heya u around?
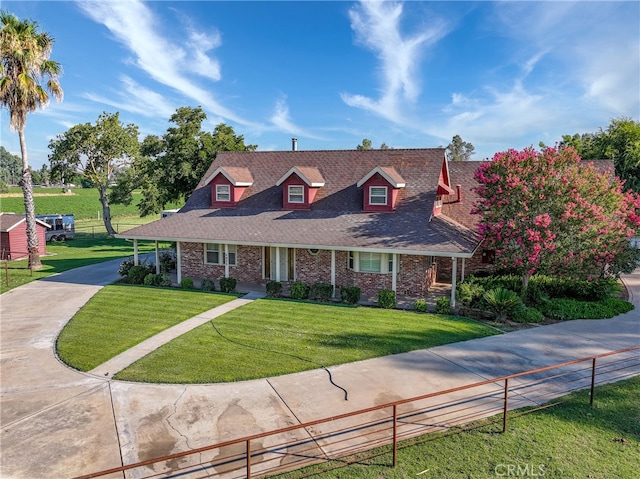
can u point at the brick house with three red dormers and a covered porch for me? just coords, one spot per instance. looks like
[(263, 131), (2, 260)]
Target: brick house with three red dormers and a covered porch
[(377, 219)]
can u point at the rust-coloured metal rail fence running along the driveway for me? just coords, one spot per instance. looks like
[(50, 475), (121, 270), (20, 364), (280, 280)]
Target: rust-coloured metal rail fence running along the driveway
[(338, 437)]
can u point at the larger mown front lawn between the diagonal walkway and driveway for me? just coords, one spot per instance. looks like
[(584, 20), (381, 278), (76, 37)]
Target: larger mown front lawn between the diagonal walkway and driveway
[(272, 337)]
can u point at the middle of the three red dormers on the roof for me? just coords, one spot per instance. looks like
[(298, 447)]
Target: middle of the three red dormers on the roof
[(299, 187)]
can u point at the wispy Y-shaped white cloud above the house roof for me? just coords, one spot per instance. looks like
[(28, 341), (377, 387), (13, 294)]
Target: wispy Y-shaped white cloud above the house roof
[(377, 27)]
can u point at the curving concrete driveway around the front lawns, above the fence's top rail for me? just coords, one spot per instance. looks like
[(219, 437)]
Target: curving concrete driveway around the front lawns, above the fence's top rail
[(57, 422)]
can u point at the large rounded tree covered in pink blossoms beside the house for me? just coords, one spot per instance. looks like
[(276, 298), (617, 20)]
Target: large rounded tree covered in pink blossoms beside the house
[(549, 212)]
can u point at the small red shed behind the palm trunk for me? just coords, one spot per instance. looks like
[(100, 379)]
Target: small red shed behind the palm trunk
[(13, 236)]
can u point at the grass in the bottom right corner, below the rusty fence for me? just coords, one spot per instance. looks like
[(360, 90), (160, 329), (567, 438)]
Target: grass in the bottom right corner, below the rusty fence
[(571, 440)]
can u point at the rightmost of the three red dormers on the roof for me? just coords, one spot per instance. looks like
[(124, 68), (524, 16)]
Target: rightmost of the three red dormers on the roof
[(380, 187)]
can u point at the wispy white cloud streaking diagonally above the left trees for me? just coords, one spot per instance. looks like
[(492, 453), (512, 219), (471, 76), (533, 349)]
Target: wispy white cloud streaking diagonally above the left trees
[(172, 65)]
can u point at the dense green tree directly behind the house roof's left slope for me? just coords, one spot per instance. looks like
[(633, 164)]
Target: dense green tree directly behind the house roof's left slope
[(170, 168)]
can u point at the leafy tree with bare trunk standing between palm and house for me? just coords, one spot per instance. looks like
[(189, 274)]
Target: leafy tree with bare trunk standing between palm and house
[(98, 152)]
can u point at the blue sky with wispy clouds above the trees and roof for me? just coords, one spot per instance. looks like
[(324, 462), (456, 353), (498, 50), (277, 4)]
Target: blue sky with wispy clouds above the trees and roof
[(409, 74)]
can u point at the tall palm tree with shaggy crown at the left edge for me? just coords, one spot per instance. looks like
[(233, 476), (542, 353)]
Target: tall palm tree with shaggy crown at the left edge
[(24, 68)]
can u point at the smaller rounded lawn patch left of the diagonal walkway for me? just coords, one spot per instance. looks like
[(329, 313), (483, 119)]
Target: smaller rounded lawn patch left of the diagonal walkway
[(118, 317)]
